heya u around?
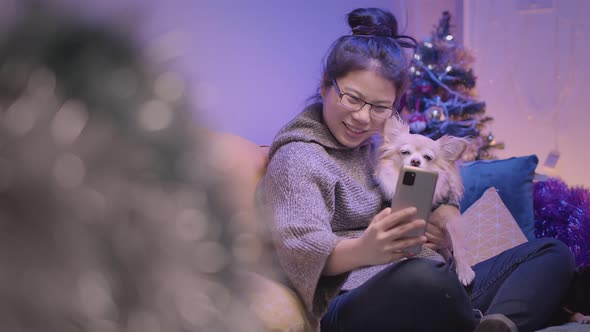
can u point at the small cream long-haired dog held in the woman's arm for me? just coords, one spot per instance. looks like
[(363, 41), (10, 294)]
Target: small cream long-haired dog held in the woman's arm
[(398, 148)]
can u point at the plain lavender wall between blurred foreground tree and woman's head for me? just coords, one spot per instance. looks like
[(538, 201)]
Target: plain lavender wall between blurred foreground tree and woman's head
[(250, 65)]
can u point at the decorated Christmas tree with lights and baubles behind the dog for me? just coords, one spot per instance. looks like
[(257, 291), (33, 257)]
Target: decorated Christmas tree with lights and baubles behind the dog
[(441, 99)]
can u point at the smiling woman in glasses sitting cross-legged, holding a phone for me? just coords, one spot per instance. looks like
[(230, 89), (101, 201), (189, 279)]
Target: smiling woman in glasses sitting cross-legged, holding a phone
[(343, 249)]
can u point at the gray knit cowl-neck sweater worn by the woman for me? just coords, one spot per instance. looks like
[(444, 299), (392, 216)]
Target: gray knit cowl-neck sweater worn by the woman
[(320, 192)]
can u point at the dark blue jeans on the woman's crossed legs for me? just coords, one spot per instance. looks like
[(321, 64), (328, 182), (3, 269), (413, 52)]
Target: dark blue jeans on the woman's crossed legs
[(525, 283)]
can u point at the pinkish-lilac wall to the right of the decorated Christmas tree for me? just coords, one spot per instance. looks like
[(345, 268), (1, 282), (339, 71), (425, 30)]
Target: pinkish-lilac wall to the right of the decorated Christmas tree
[(532, 67)]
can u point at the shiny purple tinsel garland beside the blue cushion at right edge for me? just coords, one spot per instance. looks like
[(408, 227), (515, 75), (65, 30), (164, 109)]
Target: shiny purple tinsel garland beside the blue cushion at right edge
[(564, 213)]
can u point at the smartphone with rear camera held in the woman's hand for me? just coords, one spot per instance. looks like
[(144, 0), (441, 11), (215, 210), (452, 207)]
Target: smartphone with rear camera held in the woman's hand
[(415, 187)]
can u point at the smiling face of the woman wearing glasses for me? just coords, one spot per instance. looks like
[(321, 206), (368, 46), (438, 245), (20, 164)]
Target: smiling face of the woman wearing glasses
[(351, 128)]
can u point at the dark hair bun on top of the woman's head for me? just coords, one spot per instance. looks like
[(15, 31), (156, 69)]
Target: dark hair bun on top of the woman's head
[(372, 22)]
